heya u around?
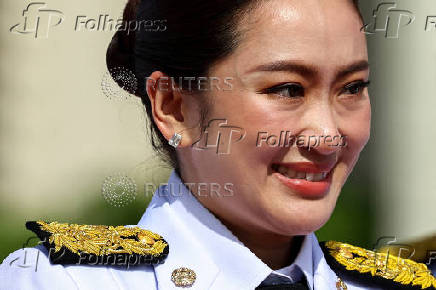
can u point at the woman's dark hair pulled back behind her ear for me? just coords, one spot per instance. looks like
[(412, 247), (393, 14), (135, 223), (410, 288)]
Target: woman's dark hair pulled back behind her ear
[(179, 38)]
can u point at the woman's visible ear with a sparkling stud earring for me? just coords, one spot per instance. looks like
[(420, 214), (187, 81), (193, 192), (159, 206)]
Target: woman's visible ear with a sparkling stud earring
[(170, 108)]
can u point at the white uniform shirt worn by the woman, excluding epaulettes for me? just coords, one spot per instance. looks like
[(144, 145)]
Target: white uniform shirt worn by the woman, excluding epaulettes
[(197, 240)]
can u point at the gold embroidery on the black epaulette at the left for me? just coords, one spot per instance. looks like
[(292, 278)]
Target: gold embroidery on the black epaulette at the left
[(103, 240)]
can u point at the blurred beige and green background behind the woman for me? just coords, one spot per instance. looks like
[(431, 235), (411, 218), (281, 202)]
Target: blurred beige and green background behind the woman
[(61, 136)]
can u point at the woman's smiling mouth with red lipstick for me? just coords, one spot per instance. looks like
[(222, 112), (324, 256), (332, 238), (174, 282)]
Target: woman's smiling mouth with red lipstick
[(307, 179)]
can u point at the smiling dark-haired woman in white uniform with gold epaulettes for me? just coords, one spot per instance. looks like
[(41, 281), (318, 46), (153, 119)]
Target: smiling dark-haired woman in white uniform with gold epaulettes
[(221, 81)]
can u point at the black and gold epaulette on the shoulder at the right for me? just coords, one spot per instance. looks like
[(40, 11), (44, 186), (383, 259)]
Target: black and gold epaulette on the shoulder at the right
[(389, 267)]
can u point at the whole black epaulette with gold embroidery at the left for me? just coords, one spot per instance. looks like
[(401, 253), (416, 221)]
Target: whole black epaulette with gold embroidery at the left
[(99, 245)]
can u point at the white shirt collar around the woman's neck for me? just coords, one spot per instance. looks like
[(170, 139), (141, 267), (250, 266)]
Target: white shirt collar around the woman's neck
[(186, 224)]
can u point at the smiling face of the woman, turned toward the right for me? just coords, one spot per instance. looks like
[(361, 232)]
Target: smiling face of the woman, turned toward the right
[(299, 72)]
